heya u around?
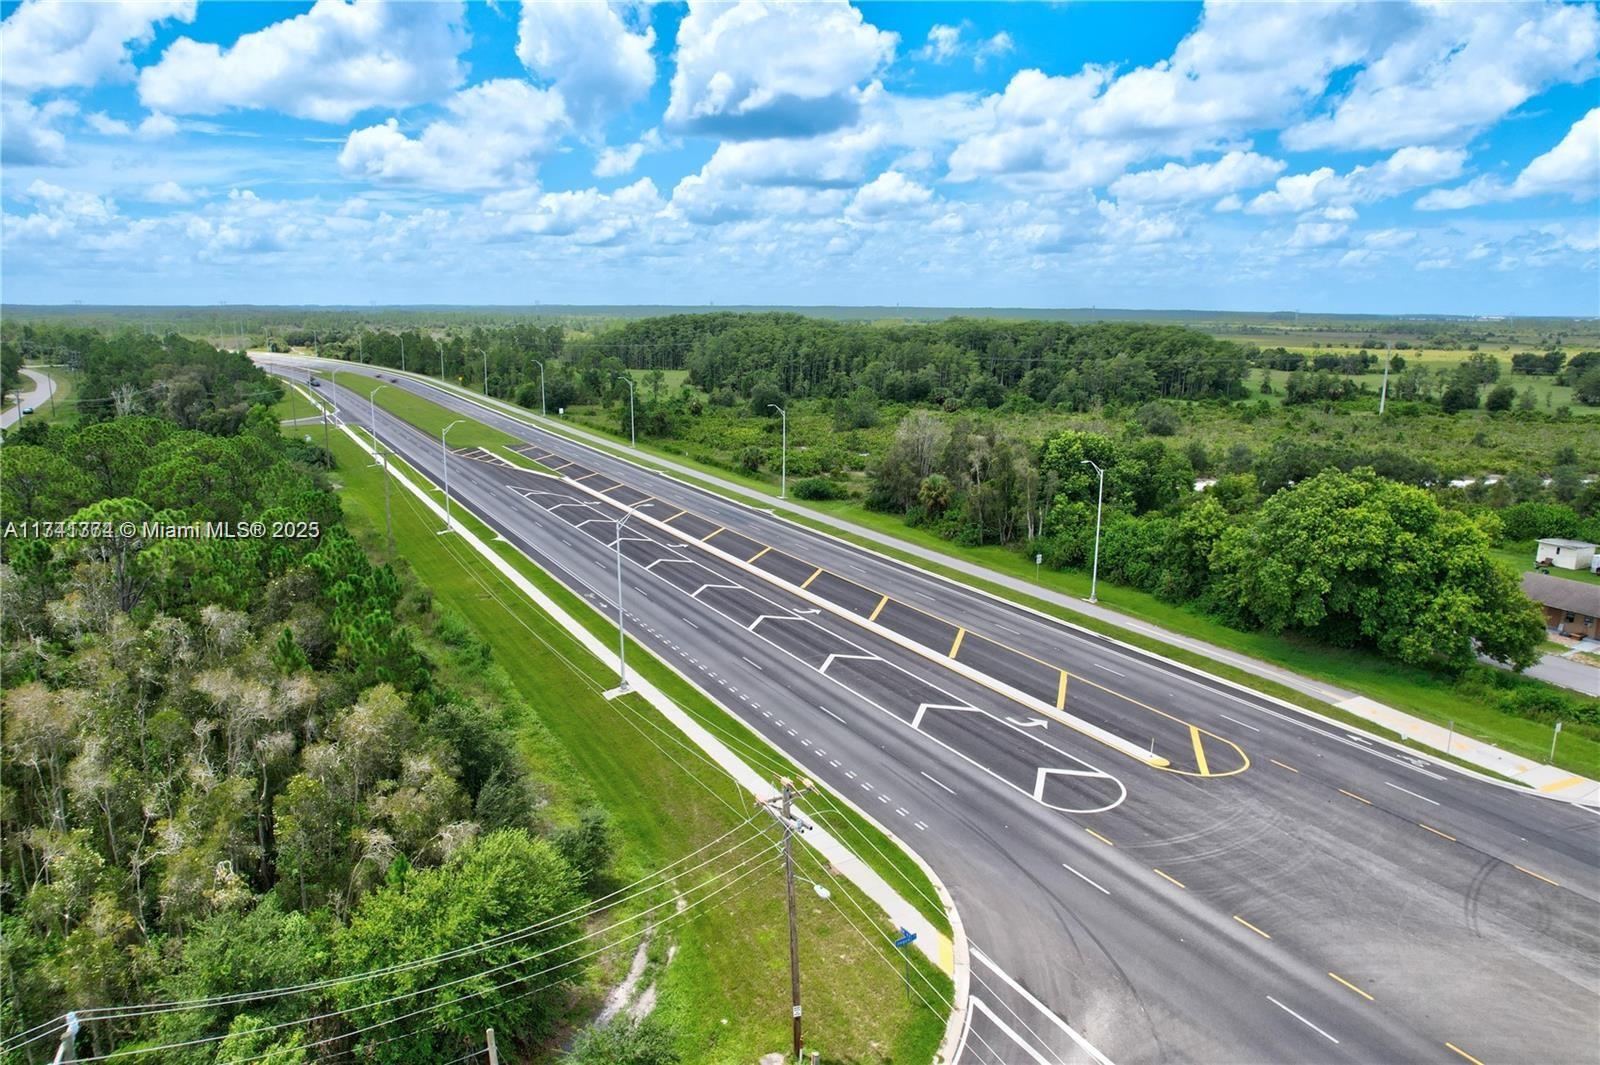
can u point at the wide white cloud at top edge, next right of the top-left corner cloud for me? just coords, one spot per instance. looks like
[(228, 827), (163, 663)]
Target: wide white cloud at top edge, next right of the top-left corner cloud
[(329, 65)]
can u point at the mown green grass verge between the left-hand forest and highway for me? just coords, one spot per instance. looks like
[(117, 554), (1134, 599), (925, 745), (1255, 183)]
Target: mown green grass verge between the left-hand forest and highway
[(727, 989)]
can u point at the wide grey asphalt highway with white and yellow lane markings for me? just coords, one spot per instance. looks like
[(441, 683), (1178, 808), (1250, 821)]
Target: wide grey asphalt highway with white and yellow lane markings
[(1146, 860)]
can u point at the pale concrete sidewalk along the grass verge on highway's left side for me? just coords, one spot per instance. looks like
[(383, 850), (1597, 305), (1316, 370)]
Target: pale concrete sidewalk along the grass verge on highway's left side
[(950, 954)]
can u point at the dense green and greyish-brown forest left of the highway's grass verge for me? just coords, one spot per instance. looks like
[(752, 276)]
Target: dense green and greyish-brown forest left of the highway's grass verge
[(228, 767)]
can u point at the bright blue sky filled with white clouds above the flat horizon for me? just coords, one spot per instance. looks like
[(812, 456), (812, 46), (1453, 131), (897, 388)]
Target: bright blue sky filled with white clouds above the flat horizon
[(1362, 158)]
